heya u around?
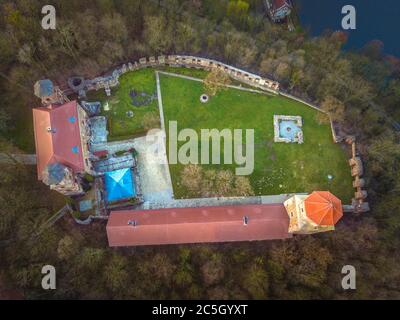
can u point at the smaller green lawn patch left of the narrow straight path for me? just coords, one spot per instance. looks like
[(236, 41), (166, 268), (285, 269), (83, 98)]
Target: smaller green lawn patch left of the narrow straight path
[(120, 125)]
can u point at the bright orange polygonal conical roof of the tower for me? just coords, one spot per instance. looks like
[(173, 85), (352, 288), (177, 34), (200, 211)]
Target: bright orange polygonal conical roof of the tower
[(323, 208)]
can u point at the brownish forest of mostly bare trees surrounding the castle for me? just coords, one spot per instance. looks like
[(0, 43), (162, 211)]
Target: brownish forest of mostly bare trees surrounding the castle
[(361, 89)]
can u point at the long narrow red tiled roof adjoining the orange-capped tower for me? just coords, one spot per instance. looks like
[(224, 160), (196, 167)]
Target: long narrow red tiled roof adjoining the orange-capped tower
[(196, 225)]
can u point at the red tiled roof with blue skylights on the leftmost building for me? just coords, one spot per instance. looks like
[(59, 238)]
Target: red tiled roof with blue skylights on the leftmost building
[(57, 136)]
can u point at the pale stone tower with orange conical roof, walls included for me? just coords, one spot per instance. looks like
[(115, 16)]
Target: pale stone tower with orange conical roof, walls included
[(316, 212)]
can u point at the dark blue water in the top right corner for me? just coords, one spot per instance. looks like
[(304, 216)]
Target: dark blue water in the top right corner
[(376, 19)]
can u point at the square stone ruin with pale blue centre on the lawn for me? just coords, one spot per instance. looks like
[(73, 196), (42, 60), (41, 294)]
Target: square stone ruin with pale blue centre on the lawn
[(288, 129)]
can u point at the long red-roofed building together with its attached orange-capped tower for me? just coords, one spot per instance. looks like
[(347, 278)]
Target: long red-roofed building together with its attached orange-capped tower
[(300, 214)]
